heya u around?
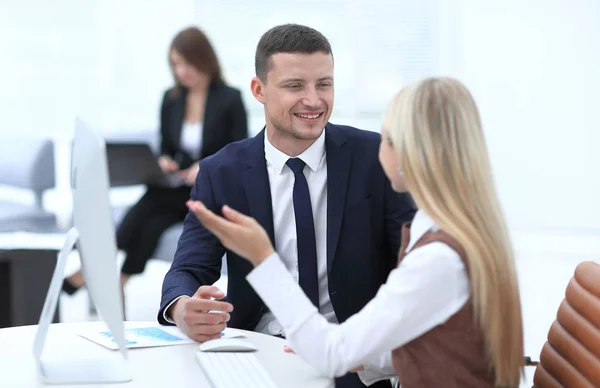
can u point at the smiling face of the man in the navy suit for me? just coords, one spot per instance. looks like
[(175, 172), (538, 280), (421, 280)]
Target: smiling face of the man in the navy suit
[(298, 94)]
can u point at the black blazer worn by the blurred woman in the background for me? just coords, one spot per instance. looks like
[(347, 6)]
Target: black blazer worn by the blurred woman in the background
[(224, 122)]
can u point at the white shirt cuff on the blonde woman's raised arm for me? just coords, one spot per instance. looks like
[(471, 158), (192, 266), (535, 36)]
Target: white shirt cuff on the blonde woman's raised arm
[(277, 288)]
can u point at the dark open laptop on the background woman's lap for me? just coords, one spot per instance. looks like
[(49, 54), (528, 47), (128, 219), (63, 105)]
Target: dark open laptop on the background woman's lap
[(135, 164)]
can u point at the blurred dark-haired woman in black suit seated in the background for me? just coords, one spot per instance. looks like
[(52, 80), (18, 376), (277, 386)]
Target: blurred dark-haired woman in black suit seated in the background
[(198, 116)]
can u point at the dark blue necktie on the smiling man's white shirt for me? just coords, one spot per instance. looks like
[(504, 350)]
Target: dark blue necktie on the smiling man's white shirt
[(305, 233)]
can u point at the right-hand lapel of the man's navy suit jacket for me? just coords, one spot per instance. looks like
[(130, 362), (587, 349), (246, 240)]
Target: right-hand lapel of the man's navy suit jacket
[(338, 172)]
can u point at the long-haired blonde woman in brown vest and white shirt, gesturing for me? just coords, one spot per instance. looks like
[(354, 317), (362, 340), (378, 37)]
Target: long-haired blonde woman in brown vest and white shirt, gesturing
[(449, 315)]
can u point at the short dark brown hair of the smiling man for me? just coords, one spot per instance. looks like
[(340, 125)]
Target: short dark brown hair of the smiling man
[(287, 38)]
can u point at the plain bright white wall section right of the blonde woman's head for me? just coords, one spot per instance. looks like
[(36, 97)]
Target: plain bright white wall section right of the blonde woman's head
[(534, 68)]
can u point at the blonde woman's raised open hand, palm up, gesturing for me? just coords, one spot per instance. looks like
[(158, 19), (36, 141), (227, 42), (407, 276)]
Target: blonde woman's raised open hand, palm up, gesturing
[(237, 232)]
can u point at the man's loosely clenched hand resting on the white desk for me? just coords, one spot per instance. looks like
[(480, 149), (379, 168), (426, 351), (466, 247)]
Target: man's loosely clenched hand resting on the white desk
[(200, 317)]
